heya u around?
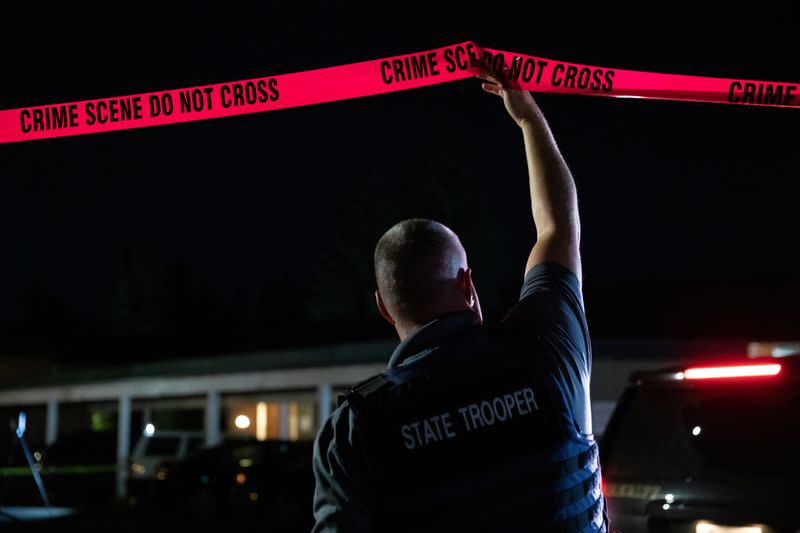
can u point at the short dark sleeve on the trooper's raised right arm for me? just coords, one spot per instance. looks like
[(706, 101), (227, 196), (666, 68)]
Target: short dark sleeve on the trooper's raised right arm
[(551, 315)]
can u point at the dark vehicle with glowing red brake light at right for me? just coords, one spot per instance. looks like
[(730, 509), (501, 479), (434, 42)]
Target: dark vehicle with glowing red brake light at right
[(706, 449)]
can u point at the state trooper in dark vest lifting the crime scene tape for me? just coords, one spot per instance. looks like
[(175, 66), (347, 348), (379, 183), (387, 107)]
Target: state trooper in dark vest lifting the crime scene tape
[(473, 428)]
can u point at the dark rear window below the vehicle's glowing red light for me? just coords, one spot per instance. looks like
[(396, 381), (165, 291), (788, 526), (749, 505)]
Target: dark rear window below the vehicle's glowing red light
[(714, 431)]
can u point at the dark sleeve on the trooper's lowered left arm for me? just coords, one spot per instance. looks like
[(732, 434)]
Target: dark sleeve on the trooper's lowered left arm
[(338, 495)]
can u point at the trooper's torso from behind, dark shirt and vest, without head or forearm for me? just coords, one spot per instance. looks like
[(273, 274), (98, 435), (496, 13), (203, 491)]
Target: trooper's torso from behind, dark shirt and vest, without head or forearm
[(471, 429)]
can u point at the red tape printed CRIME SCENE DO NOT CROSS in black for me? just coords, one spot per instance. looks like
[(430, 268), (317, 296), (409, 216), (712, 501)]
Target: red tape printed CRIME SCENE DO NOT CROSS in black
[(397, 73)]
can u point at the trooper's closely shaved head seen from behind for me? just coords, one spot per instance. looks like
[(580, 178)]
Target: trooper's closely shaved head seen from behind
[(421, 271)]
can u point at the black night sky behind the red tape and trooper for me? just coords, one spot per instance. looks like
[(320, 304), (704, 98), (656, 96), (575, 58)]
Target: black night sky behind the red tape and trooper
[(257, 231)]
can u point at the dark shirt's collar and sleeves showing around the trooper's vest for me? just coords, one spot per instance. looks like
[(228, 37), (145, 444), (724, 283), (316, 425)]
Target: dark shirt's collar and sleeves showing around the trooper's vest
[(551, 316)]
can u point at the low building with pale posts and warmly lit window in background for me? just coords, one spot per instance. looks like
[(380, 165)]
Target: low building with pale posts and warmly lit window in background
[(284, 394)]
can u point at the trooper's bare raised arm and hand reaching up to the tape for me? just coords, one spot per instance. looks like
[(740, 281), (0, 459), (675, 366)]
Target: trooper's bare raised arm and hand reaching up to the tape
[(554, 200)]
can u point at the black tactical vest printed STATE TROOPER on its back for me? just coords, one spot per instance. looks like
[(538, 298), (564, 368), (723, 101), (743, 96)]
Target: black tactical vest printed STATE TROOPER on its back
[(469, 438)]
